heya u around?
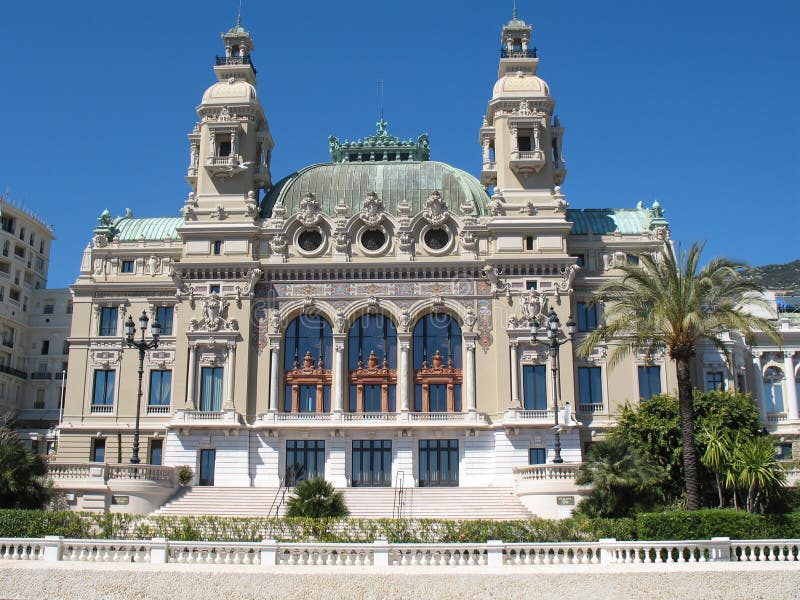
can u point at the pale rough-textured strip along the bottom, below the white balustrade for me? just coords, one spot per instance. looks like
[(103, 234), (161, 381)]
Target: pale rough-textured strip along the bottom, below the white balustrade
[(772, 581)]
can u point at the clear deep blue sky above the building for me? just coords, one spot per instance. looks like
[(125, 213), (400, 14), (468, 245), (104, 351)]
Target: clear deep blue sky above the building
[(692, 103)]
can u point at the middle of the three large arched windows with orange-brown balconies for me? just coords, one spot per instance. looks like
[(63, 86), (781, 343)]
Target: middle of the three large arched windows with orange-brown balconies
[(372, 348)]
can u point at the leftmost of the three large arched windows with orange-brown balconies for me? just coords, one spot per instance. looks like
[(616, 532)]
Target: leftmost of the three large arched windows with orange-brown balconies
[(308, 345)]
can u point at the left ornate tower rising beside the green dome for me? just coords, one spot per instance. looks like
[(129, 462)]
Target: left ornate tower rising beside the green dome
[(231, 145)]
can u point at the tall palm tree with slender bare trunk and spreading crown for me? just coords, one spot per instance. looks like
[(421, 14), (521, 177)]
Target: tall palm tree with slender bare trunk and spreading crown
[(667, 302)]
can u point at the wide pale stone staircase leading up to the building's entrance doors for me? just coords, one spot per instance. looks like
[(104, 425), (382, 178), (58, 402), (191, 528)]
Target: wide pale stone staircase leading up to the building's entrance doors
[(364, 503)]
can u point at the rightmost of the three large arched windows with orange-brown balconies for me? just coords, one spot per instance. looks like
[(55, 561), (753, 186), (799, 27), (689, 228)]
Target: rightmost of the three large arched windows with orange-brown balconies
[(437, 364)]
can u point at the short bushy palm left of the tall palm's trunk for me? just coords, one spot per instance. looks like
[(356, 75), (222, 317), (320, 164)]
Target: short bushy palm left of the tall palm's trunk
[(622, 478)]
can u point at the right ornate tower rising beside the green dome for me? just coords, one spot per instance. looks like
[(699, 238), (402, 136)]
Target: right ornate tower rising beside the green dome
[(520, 136)]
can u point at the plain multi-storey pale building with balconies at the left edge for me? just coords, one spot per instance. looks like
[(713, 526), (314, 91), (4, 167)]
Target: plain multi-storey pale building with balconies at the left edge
[(34, 325)]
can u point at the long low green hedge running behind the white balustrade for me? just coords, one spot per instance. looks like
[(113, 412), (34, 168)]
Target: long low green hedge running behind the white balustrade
[(675, 525)]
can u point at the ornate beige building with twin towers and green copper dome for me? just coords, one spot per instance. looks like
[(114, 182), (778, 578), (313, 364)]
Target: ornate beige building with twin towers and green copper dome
[(368, 318)]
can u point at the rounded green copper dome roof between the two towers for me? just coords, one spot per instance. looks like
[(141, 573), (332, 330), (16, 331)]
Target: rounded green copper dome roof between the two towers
[(393, 182)]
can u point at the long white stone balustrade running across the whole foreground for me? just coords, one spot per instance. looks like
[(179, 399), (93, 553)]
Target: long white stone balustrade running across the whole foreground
[(383, 554)]
